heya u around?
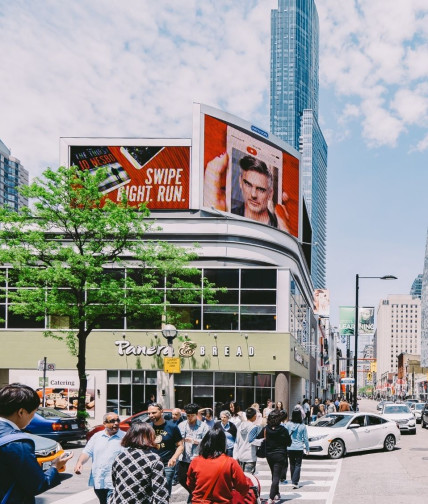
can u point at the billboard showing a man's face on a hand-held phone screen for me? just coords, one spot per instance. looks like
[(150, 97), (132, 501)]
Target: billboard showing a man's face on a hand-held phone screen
[(247, 172)]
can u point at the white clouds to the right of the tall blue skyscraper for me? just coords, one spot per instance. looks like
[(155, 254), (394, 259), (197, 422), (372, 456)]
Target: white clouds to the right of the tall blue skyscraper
[(374, 54)]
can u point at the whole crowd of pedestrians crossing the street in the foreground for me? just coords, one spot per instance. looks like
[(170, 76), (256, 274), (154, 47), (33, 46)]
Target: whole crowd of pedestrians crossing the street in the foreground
[(205, 453)]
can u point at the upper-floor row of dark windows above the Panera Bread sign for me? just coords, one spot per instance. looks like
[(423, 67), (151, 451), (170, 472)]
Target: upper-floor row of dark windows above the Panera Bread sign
[(245, 300)]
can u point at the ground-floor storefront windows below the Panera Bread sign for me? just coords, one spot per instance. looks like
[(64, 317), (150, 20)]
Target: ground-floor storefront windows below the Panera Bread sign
[(127, 391)]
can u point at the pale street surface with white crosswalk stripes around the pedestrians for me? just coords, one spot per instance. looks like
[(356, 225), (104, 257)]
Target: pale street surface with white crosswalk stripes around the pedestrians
[(397, 477)]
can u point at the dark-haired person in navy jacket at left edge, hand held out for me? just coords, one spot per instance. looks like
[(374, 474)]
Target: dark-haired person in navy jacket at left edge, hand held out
[(21, 477)]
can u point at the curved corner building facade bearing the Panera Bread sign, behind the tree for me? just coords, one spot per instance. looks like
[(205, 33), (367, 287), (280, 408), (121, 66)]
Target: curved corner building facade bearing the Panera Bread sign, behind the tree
[(258, 341)]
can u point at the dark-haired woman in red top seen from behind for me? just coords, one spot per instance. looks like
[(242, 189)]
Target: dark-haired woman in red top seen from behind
[(213, 475)]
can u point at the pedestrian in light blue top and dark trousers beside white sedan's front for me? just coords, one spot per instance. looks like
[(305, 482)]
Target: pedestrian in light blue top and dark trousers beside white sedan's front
[(299, 443)]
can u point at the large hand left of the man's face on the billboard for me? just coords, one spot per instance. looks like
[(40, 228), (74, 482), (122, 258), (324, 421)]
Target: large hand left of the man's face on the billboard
[(215, 182)]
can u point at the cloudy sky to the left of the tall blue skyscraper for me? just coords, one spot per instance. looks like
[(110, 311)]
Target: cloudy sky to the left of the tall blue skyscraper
[(110, 68)]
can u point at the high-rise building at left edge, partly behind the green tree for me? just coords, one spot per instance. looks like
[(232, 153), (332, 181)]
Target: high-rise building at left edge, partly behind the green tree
[(12, 175)]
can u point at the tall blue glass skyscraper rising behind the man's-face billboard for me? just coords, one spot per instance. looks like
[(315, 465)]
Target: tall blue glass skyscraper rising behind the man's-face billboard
[(294, 111)]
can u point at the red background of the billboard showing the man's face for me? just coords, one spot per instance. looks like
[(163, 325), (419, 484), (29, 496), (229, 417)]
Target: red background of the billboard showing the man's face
[(215, 146)]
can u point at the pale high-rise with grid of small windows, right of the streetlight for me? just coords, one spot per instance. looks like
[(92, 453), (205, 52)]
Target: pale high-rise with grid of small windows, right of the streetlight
[(398, 330)]
